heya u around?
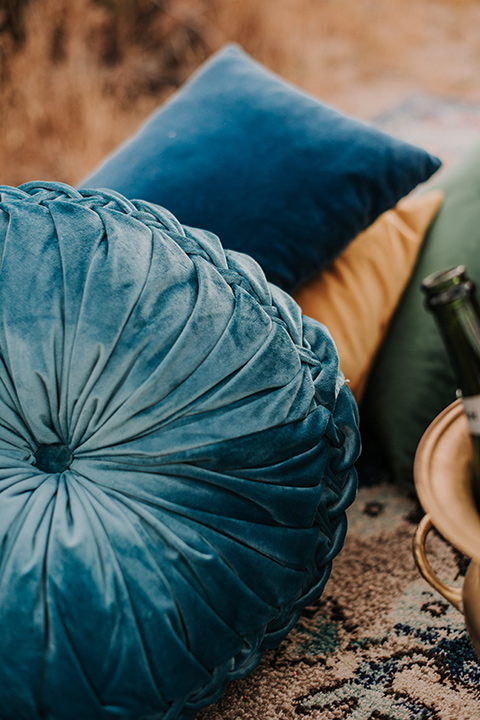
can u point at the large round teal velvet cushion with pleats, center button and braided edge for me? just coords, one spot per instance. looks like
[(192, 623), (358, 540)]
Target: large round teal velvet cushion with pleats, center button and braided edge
[(176, 458)]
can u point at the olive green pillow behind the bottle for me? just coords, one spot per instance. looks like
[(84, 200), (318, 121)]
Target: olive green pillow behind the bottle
[(411, 381)]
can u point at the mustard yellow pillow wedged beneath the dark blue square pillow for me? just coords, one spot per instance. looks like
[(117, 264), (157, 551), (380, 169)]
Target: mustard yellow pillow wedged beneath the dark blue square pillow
[(356, 296)]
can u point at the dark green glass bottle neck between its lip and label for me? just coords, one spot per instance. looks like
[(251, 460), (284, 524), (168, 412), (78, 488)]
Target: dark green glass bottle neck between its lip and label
[(459, 326)]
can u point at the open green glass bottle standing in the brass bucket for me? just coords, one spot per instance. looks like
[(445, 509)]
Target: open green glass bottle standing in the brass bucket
[(450, 296)]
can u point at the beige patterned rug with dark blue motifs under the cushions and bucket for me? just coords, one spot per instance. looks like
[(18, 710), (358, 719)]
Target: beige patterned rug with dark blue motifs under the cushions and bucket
[(380, 644)]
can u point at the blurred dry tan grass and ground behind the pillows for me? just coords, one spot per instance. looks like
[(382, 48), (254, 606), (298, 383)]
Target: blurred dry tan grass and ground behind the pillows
[(77, 76)]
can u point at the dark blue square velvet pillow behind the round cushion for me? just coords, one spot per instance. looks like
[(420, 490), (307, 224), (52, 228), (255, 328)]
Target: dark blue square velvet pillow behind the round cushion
[(269, 169)]
